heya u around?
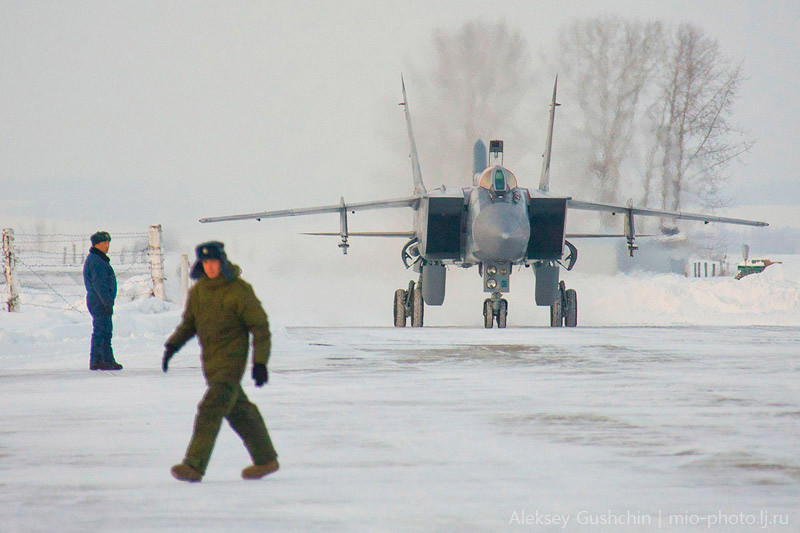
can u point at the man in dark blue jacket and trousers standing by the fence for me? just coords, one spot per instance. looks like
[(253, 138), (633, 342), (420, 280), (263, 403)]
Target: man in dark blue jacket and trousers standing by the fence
[(101, 291)]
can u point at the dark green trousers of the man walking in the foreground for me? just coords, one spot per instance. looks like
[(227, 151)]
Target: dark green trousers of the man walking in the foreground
[(228, 400)]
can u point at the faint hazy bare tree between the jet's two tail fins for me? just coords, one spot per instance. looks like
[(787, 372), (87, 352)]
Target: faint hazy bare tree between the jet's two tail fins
[(480, 80)]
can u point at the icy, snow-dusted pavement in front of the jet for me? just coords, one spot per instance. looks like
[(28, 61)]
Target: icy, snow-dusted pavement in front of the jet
[(440, 429)]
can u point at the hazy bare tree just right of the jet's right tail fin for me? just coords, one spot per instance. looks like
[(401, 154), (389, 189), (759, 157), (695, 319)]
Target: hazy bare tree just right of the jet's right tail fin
[(607, 63)]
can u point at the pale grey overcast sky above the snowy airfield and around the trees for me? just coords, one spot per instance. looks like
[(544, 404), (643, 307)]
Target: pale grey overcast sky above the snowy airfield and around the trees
[(122, 114)]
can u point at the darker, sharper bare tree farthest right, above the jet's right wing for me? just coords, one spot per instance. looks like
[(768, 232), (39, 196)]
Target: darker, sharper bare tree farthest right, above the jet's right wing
[(693, 135)]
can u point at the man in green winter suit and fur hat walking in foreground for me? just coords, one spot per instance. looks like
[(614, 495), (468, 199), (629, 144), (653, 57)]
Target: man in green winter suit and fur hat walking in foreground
[(222, 310)]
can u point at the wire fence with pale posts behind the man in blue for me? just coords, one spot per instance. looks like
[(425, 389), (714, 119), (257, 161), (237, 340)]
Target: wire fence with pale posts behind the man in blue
[(49, 269)]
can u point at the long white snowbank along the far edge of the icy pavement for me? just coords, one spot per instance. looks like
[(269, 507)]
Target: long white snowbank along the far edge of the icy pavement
[(771, 298)]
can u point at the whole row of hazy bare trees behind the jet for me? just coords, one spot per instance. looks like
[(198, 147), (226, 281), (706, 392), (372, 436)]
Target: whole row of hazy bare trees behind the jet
[(649, 105)]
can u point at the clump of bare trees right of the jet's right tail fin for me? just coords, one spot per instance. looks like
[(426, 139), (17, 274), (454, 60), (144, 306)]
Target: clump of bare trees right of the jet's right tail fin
[(656, 103)]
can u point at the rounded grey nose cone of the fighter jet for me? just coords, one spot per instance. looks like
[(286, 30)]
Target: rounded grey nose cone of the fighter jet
[(501, 233)]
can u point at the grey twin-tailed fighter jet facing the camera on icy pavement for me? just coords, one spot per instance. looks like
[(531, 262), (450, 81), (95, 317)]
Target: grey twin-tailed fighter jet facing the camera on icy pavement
[(495, 225)]
